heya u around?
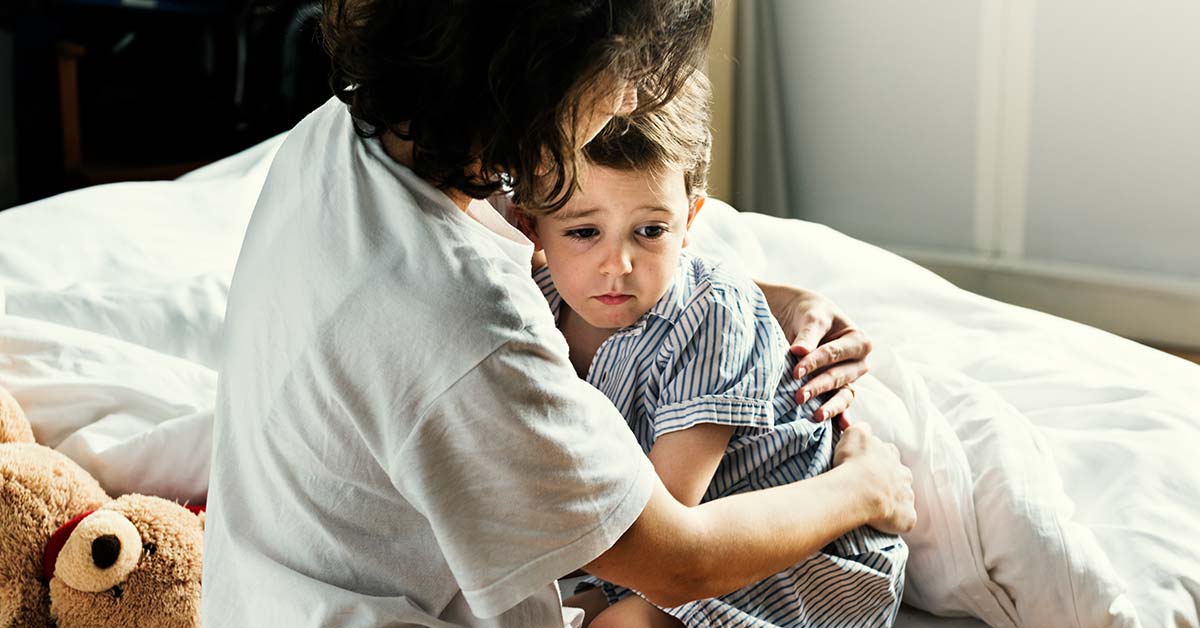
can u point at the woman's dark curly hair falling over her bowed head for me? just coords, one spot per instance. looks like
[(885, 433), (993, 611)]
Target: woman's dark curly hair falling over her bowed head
[(503, 85)]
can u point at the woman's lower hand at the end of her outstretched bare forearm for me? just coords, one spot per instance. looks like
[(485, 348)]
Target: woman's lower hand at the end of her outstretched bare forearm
[(887, 483)]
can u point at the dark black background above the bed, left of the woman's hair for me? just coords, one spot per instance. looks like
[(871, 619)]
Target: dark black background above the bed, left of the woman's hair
[(155, 87)]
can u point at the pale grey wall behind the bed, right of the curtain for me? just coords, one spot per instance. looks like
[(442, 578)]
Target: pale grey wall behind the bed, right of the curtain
[(1042, 153)]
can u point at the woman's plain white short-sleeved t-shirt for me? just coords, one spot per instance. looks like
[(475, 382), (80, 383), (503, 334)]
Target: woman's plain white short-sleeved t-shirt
[(400, 438)]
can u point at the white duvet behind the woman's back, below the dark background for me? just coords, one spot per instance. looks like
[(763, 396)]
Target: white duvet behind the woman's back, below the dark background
[(146, 262)]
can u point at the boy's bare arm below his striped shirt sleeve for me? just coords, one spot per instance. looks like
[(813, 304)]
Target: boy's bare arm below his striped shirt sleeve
[(686, 460)]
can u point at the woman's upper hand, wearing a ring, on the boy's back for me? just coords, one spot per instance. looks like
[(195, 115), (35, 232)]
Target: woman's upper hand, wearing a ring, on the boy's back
[(832, 350)]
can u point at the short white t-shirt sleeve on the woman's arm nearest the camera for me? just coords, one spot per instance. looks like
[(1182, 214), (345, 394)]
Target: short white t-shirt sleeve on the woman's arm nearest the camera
[(524, 471)]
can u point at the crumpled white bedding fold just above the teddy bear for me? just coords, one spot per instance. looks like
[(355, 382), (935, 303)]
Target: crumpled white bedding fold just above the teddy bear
[(139, 421)]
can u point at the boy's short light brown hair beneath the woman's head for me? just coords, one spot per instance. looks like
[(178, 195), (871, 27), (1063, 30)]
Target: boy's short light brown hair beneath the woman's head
[(676, 136)]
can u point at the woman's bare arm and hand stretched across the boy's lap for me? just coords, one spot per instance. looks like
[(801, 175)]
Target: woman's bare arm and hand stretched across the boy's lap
[(675, 554)]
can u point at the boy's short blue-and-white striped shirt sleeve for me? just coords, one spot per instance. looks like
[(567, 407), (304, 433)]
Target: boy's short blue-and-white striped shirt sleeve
[(724, 364)]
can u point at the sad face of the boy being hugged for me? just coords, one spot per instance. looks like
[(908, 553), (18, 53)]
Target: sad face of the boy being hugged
[(614, 249)]
